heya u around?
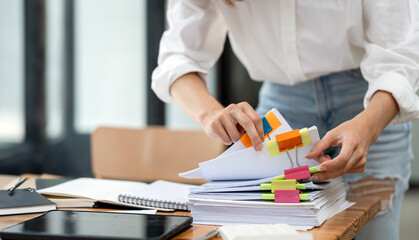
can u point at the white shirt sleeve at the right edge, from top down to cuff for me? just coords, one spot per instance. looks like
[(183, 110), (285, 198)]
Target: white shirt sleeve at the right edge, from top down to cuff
[(391, 62)]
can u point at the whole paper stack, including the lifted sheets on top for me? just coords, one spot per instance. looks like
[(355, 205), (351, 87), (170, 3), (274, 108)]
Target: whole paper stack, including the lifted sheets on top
[(230, 197)]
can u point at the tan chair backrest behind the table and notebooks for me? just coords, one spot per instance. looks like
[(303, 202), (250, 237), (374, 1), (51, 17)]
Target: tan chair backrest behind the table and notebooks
[(150, 154)]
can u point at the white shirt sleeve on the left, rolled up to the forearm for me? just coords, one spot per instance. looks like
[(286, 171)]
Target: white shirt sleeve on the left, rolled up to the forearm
[(193, 43)]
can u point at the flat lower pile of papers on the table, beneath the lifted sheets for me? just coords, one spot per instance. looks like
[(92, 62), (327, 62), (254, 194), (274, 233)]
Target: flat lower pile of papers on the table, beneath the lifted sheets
[(226, 207)]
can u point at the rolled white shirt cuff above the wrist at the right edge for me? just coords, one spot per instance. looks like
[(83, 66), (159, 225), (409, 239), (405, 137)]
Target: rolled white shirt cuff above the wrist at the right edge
[(402, 92)]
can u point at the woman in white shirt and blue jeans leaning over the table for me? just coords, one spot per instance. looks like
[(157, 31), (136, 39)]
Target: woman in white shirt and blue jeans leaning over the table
[(308, 54)]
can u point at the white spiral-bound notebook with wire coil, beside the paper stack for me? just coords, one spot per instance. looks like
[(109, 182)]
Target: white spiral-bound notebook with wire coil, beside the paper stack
[(159, 194)]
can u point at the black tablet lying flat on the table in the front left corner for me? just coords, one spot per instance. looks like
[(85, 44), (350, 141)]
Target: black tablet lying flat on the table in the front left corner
[(62, 224)]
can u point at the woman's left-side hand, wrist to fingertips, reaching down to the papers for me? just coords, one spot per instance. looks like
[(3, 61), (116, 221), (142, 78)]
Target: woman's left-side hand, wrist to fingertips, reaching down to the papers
[(229, 124)]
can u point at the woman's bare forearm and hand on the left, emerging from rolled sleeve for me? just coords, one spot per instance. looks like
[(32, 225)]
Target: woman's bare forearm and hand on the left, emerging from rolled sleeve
[(227, 124)]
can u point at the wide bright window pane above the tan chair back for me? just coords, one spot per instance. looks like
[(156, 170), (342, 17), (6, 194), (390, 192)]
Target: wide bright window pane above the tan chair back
[(110, 77)]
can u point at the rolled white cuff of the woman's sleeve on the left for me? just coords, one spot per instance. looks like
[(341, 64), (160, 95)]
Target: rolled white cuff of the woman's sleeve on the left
[(164, 76)]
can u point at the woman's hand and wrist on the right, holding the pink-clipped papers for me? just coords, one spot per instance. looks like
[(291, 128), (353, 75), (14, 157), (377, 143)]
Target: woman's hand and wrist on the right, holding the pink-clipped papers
[(355, 136)]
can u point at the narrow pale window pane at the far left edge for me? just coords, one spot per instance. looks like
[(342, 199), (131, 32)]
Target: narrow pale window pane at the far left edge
[(12, 119)]
